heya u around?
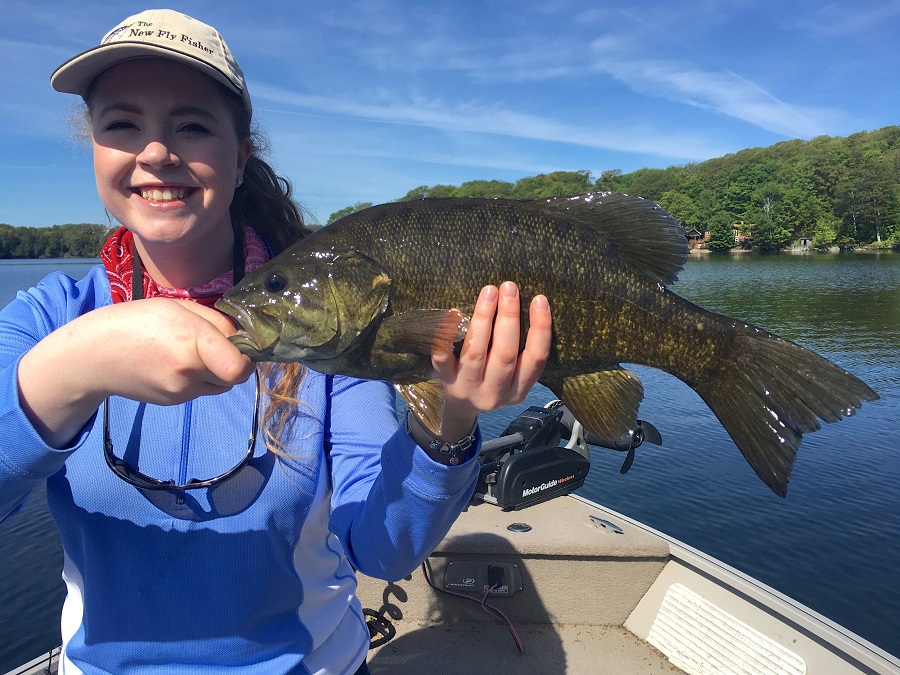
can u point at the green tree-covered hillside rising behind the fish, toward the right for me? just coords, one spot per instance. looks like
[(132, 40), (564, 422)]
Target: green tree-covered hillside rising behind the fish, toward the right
[(836, 191)]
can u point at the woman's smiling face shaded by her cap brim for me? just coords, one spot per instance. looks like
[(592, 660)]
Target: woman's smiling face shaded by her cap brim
[(166, 155)]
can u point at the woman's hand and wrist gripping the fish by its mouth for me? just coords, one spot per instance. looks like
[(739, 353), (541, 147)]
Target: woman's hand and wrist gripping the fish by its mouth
[(157, 350)]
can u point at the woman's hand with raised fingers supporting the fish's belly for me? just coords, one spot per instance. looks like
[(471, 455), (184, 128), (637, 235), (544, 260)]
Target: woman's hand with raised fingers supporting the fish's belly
[(491, 372)]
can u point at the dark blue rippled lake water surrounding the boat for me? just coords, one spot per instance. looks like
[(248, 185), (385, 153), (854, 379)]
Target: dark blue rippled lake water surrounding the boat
[(833, 544)]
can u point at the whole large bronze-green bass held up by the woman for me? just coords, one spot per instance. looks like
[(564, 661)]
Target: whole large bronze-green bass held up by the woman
[(370, 294)]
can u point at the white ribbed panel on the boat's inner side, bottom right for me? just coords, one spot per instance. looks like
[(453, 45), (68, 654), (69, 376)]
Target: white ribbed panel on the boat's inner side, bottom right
[(702, 639)]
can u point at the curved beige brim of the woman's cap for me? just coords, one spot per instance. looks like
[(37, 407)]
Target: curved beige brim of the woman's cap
[(76, 74)]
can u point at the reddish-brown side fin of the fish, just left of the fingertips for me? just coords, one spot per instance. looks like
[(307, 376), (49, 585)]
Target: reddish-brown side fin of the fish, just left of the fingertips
[(422, 331)]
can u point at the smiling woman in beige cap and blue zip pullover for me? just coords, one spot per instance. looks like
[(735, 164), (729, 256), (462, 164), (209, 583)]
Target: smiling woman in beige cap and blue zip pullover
[(159, 506)]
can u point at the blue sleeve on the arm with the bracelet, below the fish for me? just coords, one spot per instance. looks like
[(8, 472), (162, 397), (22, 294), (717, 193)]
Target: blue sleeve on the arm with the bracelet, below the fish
[(391, 503)]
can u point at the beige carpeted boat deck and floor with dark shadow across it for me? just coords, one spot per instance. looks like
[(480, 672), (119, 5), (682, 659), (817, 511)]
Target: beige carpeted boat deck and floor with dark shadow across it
[(578, 580)]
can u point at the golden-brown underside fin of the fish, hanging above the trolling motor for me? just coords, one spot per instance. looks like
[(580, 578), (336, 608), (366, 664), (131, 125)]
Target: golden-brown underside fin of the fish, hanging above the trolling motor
[(605, 402)]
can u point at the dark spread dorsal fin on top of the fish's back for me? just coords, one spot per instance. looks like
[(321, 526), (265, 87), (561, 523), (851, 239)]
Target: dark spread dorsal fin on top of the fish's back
[(648, 237)]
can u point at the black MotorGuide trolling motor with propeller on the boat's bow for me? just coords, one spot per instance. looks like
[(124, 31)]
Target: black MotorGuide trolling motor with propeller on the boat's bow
[(526, 465)]
